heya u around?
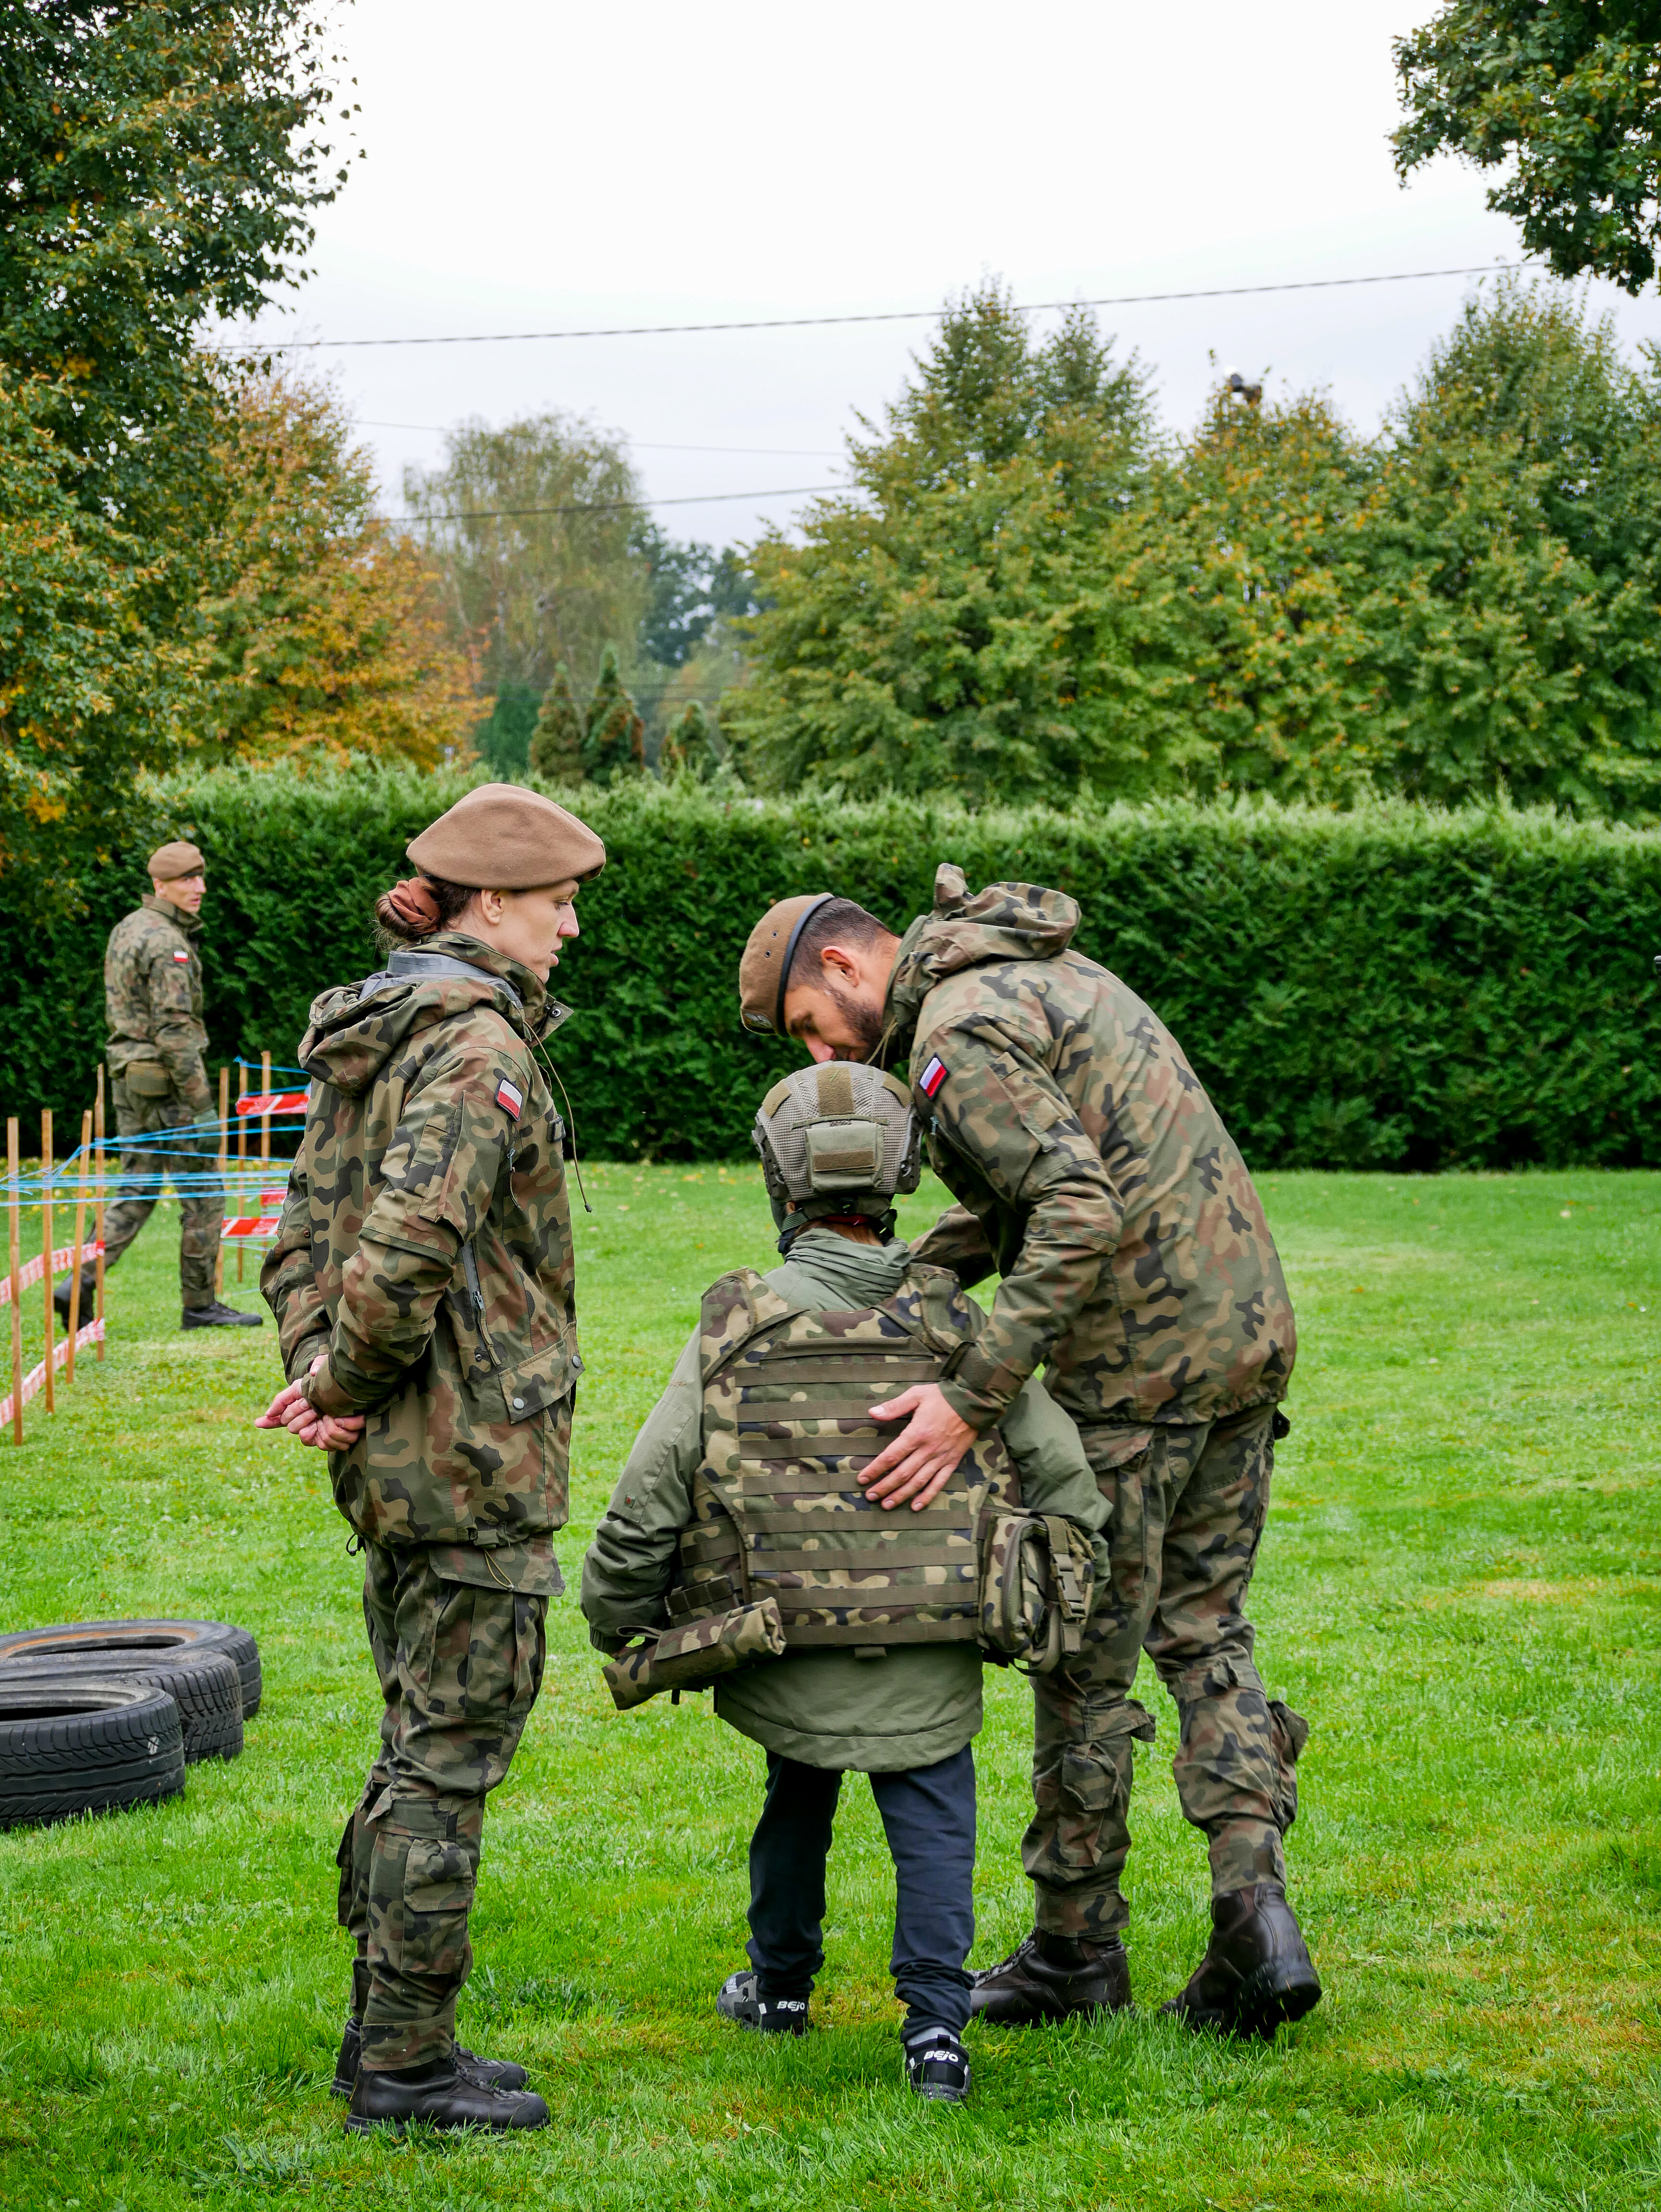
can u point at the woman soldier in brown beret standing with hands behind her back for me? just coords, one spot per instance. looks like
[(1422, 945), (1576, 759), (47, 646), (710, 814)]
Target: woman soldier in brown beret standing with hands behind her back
[(424, 1286)]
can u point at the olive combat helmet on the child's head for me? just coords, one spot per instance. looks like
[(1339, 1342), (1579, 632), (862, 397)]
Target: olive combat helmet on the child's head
[(839, 1140)]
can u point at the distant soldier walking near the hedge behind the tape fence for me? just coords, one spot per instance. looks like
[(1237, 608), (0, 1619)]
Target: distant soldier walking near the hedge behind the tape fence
[(158, 1081)]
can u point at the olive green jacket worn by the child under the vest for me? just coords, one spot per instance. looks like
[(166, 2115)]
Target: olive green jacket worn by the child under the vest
[(826, 1709)]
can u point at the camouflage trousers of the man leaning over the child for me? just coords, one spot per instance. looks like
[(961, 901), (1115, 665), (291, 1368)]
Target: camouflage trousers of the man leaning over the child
[(1189, 1512)]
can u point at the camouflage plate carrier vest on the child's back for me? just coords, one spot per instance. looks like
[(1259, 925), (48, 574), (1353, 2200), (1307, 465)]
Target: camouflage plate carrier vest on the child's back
[(777, 1510)]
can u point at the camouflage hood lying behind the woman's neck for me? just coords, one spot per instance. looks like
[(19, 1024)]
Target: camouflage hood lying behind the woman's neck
[(359, 1027)]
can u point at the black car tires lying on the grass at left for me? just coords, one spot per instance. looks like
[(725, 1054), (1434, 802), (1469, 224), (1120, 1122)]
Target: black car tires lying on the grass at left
[(96, 1715)]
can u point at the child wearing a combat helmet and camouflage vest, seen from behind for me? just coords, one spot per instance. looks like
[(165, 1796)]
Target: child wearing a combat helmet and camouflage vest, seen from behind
[(744, 1485)]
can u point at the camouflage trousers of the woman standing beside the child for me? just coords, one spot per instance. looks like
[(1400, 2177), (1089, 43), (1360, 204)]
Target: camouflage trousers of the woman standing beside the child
[(461, 1669)]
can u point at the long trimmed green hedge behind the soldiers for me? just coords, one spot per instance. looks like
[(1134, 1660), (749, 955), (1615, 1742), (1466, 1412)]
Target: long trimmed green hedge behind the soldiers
[(1375, 990)]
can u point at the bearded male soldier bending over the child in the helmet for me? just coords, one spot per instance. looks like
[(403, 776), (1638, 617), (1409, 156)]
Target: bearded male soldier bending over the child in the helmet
[(1098, 1180)]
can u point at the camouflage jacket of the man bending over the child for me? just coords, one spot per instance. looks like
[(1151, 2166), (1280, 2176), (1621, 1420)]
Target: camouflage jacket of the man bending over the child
[(1091, 1171)]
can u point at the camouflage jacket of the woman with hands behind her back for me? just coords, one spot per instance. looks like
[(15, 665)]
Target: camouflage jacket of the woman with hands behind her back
[(426, 1246)]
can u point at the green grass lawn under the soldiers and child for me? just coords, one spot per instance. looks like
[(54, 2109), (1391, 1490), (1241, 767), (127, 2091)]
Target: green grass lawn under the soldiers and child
[(1459, 1589)]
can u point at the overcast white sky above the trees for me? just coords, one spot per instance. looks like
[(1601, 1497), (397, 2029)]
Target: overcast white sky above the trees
[(543, 167)]
